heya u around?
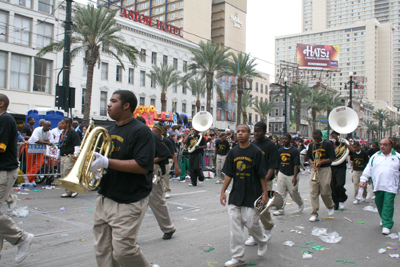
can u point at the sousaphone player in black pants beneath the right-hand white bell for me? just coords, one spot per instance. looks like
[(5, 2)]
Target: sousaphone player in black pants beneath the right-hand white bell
[(339, 175)]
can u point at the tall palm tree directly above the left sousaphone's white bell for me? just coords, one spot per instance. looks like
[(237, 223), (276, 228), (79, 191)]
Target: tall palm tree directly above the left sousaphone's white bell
[(206, 59)]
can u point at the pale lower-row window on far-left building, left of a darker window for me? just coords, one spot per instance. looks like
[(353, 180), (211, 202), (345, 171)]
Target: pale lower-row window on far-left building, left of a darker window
[(19, 72)]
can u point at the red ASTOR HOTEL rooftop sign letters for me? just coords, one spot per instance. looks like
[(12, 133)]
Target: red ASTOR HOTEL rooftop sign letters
[(147, 20)]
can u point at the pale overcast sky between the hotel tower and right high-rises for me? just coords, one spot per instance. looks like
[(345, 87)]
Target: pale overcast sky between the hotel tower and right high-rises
[(265, 20)]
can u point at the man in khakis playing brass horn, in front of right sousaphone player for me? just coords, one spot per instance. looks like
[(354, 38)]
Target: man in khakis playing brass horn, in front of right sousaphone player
[(320, 154)]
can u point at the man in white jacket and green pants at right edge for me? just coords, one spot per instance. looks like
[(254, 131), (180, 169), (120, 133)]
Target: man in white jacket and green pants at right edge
[(384, 170)]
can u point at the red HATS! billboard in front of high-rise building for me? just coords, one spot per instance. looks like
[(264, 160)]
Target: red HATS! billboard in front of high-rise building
[(325, 57)]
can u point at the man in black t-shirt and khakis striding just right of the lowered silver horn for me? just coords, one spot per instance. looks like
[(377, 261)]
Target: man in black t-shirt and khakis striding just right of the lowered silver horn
[(288, 182)]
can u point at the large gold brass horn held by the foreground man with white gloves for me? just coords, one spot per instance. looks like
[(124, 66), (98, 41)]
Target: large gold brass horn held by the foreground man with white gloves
[(80, 179)]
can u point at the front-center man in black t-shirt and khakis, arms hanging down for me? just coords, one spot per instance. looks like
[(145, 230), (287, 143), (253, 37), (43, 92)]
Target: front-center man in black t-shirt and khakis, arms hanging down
[(245, 165)]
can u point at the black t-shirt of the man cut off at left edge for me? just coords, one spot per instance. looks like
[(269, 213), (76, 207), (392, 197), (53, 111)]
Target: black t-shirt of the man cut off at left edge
[(8, 143)]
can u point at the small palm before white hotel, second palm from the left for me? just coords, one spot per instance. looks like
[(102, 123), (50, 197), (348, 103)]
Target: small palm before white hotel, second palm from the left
[(165, 76)]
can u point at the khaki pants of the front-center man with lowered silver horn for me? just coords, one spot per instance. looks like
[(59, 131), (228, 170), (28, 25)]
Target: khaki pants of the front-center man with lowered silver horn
[(238, 218)]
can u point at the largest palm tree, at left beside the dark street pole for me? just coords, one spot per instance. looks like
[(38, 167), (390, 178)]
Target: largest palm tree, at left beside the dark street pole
[(93, 28)]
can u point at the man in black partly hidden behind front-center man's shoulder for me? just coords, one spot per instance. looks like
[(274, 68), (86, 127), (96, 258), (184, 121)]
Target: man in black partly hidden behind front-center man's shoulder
[(270, 154)]
